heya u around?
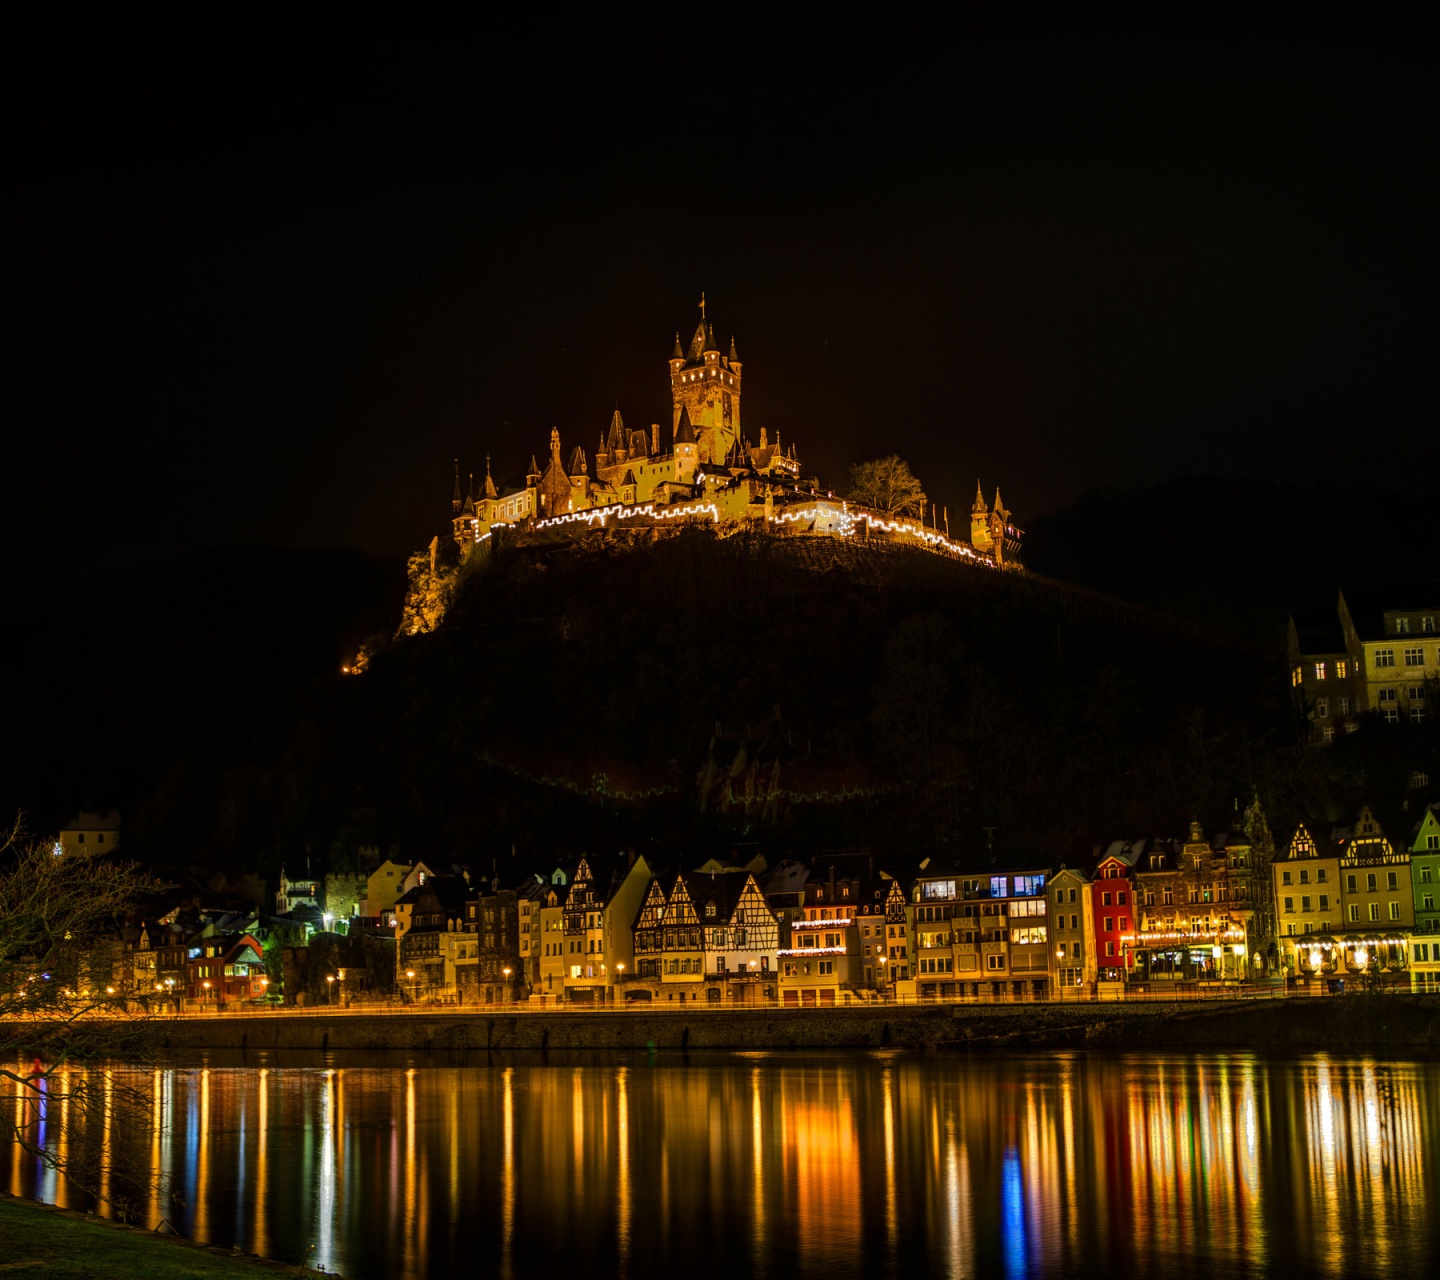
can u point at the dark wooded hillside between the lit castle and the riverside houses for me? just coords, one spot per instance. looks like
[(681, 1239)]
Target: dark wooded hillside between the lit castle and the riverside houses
[(572, 700)]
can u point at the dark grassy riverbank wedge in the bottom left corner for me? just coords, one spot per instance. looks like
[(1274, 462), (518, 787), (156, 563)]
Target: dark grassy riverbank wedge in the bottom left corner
[(41, 1240)]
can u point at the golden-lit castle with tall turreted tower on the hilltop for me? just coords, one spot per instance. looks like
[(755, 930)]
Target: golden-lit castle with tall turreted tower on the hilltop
[(708, 472)]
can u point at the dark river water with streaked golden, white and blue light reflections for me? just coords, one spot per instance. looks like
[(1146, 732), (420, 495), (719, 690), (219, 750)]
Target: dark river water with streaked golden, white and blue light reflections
[(786, 1167)]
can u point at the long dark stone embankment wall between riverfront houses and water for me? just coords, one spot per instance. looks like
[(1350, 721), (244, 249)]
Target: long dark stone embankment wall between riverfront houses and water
[(1340, 1023)]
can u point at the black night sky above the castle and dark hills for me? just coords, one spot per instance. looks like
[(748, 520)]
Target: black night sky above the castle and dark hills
[(267, 277)]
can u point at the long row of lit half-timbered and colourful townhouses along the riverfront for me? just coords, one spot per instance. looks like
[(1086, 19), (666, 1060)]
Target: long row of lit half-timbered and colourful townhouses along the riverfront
[(1128, 918)]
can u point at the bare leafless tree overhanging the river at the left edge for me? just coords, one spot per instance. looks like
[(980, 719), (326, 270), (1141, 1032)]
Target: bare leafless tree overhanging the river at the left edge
[(71, 1016)]
